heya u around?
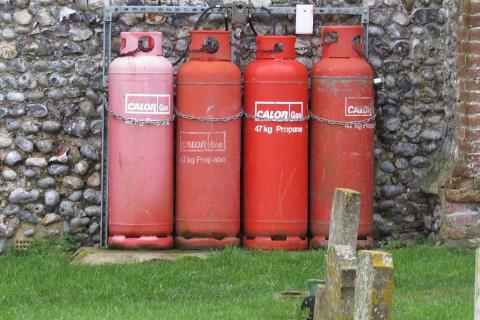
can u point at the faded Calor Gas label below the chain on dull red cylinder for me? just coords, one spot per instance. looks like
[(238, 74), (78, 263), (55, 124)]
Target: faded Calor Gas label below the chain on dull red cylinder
[(202, 141)]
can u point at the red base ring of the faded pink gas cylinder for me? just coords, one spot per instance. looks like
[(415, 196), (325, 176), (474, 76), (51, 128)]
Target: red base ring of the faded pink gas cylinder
[(145, 242)]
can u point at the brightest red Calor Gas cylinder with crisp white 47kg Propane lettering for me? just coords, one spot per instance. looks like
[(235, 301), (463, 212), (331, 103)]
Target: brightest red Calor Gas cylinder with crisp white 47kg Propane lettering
[(276, 147)]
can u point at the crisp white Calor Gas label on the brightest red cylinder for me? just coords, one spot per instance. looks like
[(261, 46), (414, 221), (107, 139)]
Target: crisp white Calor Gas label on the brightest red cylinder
[(268, 110)]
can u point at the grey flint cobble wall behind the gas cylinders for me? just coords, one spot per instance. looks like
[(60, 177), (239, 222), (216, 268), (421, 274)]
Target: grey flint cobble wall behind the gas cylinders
[(50, 106)]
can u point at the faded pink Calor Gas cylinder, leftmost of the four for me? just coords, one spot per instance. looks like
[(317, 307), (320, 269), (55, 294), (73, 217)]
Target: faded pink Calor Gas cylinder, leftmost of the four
[(140, 144)]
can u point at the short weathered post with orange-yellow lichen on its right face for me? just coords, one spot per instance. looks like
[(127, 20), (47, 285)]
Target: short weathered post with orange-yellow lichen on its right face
[(374, 286)]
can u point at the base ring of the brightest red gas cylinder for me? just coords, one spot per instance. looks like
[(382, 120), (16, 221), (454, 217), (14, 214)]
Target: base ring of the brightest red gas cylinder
[(290, 243)]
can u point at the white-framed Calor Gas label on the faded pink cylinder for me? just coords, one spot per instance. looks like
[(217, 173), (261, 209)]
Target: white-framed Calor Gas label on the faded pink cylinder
[(139, 103)]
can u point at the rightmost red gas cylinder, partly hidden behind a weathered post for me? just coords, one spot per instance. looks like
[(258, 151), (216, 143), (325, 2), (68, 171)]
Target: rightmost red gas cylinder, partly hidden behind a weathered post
[(342, 130)]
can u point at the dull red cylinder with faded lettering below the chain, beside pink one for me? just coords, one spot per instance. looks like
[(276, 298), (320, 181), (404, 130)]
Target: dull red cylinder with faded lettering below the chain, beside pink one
[(208, 144)]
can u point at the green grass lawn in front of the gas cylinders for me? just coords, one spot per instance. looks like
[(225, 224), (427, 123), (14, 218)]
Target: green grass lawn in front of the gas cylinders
[(41, 283)]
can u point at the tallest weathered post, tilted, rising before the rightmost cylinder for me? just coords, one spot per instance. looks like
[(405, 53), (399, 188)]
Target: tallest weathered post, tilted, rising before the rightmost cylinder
[(344, 218)]
